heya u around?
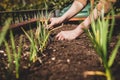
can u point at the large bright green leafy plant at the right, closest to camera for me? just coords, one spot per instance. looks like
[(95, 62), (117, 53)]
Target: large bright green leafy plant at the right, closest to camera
[(100, 35)]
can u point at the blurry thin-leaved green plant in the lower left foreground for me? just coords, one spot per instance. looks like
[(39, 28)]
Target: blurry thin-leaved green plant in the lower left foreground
[(13, 54)]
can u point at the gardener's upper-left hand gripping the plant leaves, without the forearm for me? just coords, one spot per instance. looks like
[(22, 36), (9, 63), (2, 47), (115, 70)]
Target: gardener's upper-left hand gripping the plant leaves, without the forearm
[(54, 22)]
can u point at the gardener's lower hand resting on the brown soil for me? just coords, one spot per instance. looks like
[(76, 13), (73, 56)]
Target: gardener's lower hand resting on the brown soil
[(69, 35)]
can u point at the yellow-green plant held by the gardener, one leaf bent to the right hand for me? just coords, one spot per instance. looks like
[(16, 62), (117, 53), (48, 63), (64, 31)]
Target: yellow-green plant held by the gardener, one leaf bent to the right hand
[(42, 34)]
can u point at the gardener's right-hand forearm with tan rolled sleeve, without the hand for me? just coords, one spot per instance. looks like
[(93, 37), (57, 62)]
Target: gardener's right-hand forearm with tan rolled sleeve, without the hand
[(102, 5)]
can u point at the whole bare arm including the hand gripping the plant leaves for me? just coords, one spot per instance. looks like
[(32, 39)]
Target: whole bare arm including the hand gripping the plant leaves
[(74, 9)]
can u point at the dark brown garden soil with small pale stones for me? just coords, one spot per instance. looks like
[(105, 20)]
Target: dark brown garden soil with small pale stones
[(62, 60)]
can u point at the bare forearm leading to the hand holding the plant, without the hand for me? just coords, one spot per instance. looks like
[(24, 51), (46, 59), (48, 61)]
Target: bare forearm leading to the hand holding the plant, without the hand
[(74, 9)]
